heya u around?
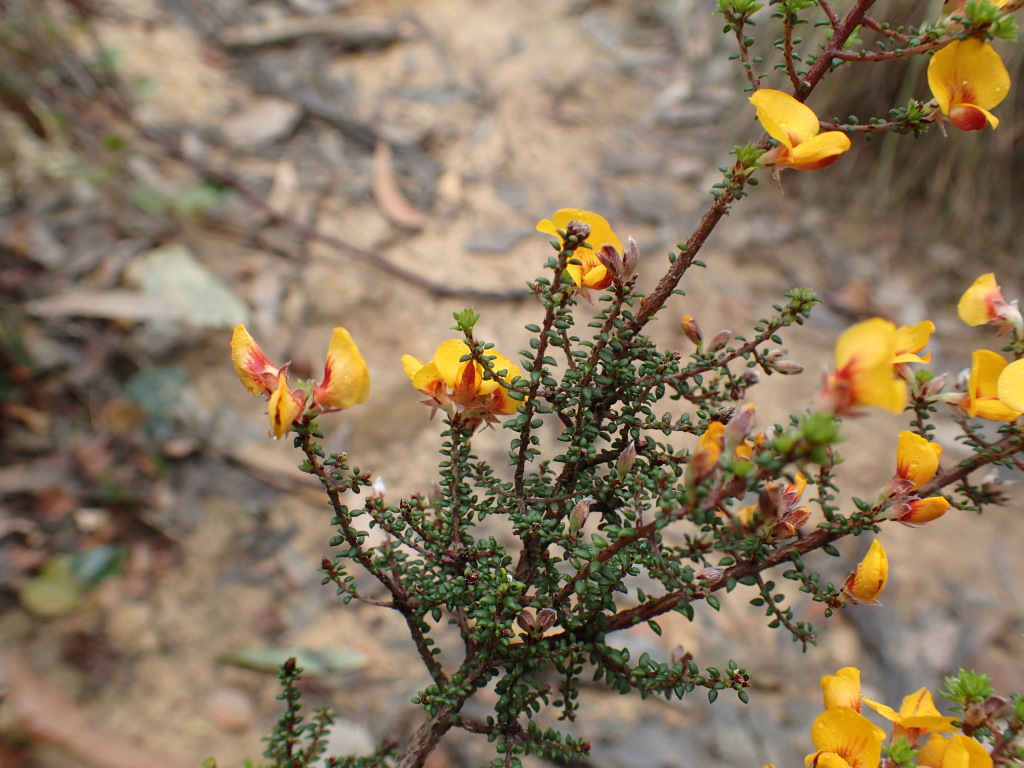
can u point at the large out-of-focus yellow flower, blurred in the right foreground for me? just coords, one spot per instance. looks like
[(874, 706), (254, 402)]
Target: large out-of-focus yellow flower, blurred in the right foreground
[(865, 374)]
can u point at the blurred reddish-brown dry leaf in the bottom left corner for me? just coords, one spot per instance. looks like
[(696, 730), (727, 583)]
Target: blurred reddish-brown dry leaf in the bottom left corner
[(48, 716)]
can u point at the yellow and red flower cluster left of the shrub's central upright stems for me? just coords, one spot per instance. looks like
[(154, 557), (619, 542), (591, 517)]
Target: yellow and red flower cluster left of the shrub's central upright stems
[(460, 388)]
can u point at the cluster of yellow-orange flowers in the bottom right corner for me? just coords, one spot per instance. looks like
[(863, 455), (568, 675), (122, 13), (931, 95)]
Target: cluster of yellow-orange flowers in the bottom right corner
[(844, 738)]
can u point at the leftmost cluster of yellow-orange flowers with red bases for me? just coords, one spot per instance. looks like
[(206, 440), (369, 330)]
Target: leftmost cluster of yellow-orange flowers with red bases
[(346, 382)]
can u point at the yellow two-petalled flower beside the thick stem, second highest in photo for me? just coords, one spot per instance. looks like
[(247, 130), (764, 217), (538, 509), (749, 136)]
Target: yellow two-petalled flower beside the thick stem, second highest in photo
[(796, 127)]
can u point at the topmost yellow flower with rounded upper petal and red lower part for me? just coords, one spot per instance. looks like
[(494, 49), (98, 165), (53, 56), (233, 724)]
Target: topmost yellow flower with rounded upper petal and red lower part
[(968, 79)]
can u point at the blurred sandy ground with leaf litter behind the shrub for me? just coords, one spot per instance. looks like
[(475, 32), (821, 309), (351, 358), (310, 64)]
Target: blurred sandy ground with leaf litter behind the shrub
[(169, 169)]
